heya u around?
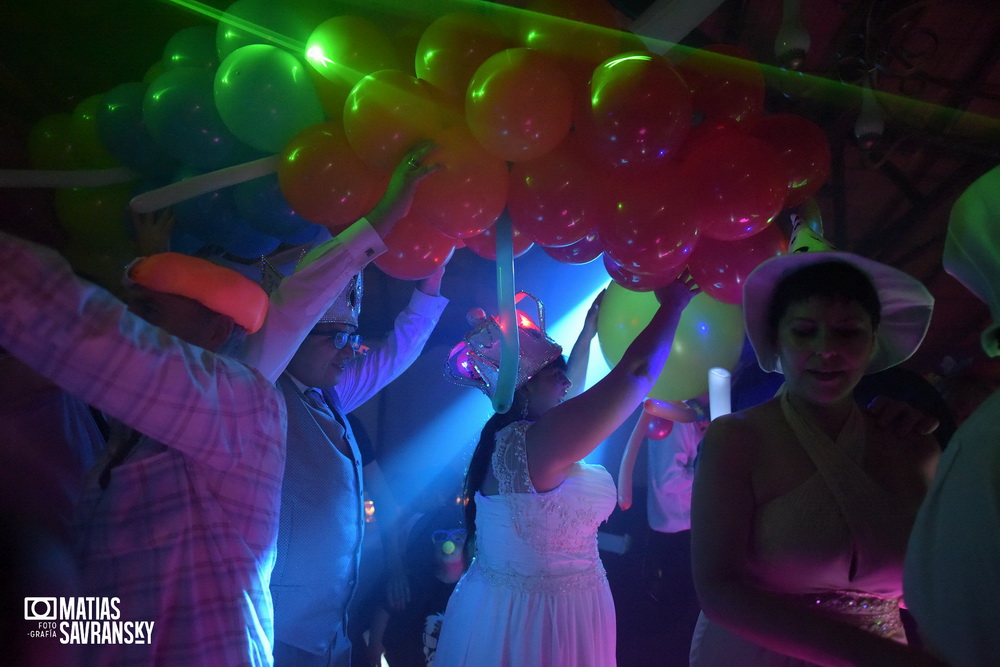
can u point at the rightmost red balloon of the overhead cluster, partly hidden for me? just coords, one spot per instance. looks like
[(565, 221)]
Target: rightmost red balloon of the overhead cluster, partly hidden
[(803, 150)]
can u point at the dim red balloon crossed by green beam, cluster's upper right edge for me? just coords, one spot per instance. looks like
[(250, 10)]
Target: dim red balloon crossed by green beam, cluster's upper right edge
[(725, 83)]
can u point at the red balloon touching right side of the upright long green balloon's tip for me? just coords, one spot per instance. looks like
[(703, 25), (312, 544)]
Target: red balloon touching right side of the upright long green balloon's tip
[(551, 197)]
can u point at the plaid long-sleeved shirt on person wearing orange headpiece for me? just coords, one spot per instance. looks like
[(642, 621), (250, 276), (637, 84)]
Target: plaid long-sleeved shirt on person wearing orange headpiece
[(184, 533)]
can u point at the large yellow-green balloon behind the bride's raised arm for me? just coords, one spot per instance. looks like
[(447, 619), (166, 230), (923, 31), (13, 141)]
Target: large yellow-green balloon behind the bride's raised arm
[(710, 334)]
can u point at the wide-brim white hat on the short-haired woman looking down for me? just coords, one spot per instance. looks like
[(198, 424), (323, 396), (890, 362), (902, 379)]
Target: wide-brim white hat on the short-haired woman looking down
[(905, 315)]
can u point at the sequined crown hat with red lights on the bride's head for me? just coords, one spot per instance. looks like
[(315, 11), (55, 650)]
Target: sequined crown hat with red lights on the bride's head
[(475, 362)]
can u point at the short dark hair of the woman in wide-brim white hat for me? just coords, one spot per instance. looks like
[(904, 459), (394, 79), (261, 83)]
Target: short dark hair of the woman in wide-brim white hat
[(830, 279)]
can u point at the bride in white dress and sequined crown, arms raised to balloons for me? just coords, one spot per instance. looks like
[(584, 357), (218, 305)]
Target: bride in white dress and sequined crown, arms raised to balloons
[(536, 592)]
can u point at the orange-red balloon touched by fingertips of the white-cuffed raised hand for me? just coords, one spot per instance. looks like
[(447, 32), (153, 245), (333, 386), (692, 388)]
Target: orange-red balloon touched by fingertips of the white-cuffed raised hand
[(469, 192)]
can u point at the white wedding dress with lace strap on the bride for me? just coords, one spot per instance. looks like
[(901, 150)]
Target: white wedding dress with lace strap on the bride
[(536, 593)]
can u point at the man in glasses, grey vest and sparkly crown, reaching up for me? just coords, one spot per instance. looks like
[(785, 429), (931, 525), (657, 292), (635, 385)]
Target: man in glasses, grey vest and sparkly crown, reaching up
[(322, 514)]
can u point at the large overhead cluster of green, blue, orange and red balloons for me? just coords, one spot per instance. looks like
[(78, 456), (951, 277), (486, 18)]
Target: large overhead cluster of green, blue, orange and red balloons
[(264, 127)]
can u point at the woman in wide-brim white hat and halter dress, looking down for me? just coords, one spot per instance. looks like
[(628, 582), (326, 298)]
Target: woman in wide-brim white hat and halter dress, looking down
[(802, 505)]
